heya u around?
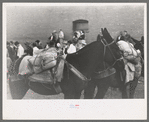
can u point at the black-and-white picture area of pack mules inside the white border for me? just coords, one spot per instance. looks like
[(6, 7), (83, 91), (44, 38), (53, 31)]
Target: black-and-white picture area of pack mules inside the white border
[(74, 51)]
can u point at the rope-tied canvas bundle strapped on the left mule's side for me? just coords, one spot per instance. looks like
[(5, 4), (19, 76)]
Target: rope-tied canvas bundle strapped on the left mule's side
[(43, 65)]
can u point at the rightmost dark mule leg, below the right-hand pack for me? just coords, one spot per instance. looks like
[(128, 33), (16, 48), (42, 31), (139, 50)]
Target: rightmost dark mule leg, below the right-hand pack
[(133, 85)]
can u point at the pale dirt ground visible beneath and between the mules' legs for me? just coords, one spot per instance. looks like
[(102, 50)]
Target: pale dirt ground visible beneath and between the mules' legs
[(111, 93)]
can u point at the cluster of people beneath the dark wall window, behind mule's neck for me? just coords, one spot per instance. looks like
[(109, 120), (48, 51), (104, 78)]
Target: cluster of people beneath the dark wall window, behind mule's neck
[(68, 46)]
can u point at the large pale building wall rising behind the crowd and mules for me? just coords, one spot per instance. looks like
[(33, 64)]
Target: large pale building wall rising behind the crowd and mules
[(29, 23)]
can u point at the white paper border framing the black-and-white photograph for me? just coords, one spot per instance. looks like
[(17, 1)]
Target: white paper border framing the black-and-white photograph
[(60, 109)]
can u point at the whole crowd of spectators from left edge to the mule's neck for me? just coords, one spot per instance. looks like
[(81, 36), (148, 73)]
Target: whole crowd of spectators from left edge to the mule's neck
[(57, 40)]
